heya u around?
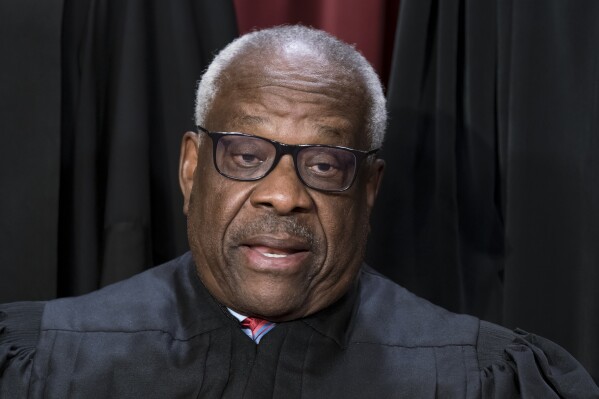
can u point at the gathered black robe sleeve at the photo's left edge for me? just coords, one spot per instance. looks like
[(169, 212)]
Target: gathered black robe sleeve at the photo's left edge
[(19, 333)]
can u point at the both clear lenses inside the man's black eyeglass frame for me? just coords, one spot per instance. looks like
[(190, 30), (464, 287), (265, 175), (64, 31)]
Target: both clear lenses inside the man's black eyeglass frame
[(251, 158)]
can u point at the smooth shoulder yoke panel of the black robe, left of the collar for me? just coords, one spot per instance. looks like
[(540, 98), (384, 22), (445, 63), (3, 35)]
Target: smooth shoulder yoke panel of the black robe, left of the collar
[(151, 300)]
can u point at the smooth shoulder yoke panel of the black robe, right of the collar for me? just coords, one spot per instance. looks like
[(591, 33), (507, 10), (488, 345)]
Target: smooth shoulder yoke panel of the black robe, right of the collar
[(404, 319)]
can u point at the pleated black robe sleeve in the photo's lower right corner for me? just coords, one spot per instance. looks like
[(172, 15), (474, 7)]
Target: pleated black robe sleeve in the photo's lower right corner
[(516, 364)]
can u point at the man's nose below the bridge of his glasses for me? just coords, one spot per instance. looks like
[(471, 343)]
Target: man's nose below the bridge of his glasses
[(282, 190)]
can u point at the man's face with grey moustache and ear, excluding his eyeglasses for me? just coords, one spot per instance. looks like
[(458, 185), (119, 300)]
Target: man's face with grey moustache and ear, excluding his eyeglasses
[(274, 248)]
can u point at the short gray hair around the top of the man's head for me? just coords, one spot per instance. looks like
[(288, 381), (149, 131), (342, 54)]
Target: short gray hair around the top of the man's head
[(331, 48)]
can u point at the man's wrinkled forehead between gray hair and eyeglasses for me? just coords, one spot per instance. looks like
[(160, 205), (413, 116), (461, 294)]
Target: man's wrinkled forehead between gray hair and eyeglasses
[(290, 90)]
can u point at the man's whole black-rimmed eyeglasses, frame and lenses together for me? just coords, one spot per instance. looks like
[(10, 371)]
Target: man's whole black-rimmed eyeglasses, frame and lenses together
[(245, 157)]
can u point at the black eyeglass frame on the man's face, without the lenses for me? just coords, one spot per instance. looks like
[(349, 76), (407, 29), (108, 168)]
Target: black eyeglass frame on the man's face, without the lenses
[(284, 149)]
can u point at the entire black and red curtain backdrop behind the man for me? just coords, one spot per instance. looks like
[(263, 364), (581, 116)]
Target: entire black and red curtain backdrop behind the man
[(490, 202)]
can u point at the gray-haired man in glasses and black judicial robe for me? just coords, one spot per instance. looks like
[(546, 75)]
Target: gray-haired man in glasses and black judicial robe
[(274, 300)]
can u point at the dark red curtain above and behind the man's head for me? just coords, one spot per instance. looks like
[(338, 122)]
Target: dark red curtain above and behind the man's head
[(370, 25)]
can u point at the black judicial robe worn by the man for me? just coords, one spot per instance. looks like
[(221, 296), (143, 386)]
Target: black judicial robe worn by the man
[(161, 335)]
